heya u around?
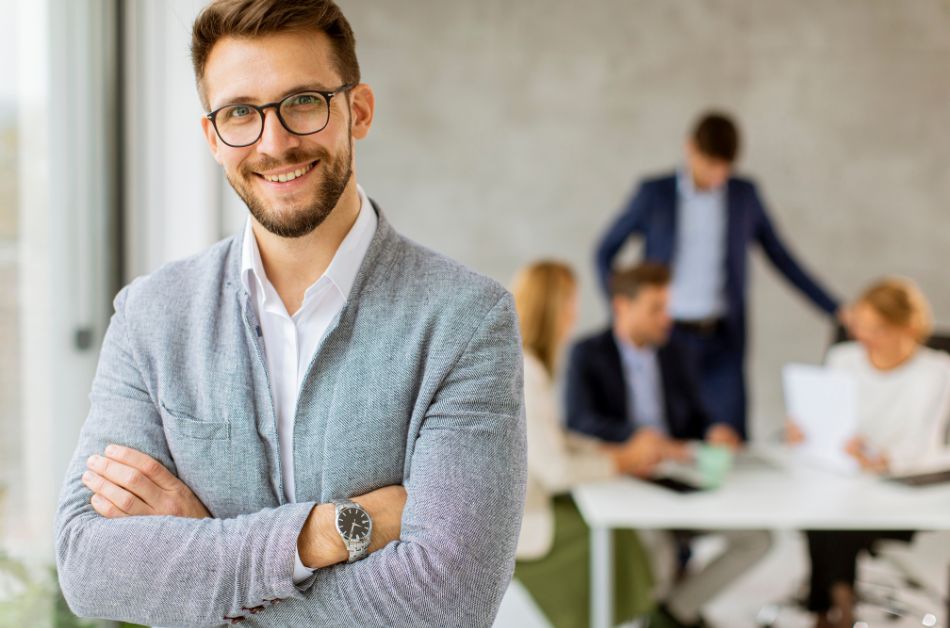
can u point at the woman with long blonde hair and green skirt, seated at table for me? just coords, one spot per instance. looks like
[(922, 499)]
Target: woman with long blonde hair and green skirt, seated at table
[(553, 552)]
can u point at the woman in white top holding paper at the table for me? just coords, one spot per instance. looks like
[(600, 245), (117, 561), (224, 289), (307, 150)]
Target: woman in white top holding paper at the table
[(903, 412)]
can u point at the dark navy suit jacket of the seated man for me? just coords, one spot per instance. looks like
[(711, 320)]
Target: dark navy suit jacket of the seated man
[(597, 393)]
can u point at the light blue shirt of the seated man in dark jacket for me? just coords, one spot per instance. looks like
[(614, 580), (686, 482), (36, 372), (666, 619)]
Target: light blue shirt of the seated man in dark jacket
[(641, 370)]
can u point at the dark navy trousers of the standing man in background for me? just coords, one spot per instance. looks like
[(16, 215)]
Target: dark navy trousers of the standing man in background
[(715, 360)]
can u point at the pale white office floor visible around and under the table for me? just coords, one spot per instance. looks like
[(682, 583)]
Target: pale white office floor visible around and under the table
[(780, 576)]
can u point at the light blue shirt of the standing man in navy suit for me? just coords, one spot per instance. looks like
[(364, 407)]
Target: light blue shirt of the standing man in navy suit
[(698, 288)]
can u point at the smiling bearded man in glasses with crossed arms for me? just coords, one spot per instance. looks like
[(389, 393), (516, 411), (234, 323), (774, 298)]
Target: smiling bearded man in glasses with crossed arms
[(316, 412)]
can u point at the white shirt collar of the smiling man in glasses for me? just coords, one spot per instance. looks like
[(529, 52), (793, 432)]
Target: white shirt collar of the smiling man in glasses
[(343, 267)]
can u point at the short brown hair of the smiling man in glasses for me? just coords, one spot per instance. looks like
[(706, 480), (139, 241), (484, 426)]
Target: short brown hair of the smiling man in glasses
[(255, 18)]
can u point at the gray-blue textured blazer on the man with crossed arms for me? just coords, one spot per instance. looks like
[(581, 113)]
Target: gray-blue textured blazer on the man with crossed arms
[(417, 382)]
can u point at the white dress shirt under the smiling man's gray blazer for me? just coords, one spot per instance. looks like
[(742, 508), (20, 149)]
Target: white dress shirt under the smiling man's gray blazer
[(290, 342)]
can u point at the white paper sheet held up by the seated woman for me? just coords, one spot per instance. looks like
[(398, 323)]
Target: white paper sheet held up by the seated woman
[(823, 403)]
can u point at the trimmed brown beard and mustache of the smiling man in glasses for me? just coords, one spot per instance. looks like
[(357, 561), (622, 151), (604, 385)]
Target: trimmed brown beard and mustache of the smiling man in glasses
[(297, 221)]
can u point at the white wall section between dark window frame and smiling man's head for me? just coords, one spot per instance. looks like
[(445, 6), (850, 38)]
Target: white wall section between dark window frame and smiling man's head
[(172, 192)]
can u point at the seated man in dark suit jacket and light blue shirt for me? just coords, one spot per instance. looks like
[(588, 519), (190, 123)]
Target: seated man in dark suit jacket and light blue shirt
[(628, 382)]
